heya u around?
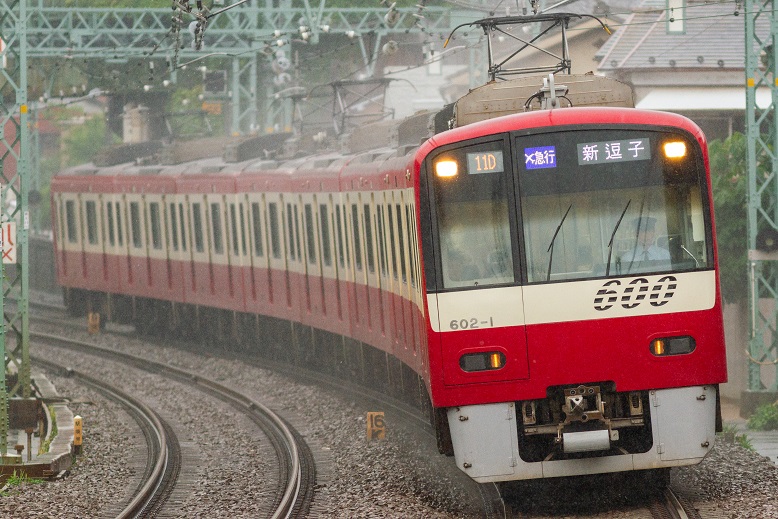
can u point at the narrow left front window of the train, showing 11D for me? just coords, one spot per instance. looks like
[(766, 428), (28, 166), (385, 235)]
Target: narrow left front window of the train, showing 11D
[(468, 181)]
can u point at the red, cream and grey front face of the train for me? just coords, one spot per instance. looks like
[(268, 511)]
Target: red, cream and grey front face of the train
[(575, 320)]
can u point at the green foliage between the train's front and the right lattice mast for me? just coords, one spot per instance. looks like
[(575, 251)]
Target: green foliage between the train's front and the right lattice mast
[(728, 177)]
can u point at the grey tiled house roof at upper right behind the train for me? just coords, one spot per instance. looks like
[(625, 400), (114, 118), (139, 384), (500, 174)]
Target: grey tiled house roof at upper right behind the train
[(714, 38)]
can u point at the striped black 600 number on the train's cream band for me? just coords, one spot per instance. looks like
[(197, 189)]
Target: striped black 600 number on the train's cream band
[(635, 292)]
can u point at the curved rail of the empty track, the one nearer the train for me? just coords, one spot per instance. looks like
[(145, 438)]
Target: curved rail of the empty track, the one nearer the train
[(296, 467)]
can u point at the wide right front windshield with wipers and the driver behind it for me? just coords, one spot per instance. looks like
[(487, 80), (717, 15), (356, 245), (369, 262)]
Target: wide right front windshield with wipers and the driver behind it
[(610, 203)]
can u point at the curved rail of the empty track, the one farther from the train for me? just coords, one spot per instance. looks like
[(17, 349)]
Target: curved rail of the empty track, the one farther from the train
[(164, 450)]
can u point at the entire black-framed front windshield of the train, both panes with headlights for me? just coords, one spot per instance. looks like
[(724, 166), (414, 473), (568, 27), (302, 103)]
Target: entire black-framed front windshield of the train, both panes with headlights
[(569, 205)]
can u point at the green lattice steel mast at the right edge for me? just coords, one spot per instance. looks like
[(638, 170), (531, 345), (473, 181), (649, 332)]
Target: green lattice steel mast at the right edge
[(761, 26)]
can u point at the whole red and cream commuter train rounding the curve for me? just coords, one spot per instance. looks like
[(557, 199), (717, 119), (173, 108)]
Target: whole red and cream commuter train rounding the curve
[(545, 281)]
